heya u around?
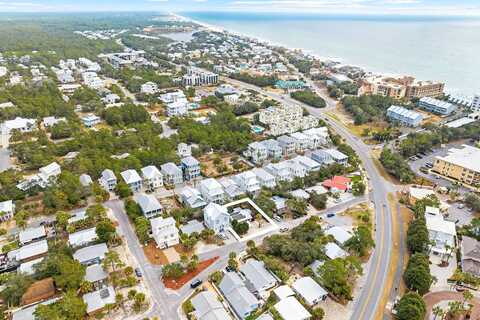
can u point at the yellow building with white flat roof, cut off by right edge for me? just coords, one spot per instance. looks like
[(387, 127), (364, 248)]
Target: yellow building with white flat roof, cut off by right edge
[(460, 164)]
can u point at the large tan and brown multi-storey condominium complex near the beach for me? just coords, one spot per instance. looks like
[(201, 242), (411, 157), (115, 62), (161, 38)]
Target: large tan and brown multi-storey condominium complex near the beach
[(406, 87)]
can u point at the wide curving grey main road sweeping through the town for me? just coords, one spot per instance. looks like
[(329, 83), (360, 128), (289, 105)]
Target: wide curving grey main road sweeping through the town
[(367, 303)]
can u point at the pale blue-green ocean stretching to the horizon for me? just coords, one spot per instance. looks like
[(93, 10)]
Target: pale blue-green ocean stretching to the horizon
[(429, 48)]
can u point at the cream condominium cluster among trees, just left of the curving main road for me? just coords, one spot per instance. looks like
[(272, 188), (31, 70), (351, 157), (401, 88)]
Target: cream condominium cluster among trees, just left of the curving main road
[(286, 119)]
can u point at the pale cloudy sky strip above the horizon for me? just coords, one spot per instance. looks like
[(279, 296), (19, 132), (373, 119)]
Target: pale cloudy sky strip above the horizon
[(403, 7)]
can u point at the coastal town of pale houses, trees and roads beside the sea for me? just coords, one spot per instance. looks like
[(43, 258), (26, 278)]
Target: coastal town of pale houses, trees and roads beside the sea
[(176, 171)]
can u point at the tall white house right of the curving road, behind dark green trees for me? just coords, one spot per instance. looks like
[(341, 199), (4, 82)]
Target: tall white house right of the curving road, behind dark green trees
[(441, 233)]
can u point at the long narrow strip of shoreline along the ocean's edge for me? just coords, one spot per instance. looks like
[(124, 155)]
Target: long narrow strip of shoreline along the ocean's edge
[(456, 92)]
